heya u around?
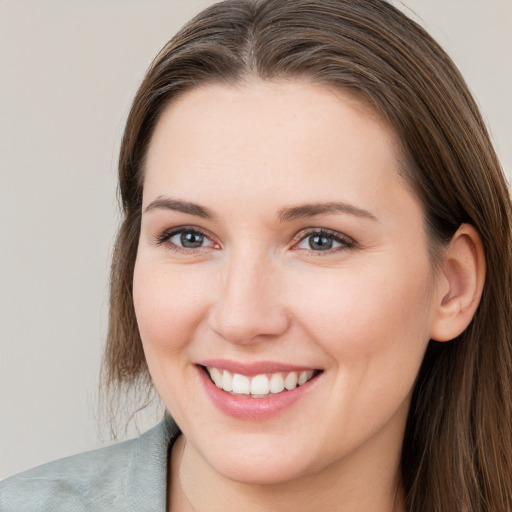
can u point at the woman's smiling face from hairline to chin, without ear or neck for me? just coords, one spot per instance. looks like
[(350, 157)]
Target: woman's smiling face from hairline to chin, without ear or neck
[(278, 241)]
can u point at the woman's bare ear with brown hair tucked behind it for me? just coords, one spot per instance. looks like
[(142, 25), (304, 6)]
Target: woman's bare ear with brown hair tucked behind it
[(460, 284)]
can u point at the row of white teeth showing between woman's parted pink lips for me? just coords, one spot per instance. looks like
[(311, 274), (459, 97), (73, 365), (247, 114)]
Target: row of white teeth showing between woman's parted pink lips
[(259, 386)]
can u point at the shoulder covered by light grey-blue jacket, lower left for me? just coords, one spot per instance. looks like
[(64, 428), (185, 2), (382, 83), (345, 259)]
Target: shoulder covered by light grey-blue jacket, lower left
[(126, 476)]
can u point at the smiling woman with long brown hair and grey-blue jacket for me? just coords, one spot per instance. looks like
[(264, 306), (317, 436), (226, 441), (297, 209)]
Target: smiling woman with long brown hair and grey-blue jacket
[(313, 271)]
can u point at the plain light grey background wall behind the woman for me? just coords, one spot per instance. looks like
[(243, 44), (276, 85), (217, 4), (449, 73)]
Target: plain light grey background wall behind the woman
[(69, 69)]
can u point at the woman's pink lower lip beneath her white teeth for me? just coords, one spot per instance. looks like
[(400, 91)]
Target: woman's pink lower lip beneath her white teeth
[(252, 409)]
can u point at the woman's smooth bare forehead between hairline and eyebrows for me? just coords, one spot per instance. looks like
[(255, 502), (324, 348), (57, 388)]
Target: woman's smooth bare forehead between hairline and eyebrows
[(298, 136)]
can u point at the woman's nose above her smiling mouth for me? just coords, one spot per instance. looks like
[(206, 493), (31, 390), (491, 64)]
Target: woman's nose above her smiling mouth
[(248, 306)]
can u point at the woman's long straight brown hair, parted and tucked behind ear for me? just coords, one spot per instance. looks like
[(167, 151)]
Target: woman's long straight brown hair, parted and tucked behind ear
[(457, 451)]
